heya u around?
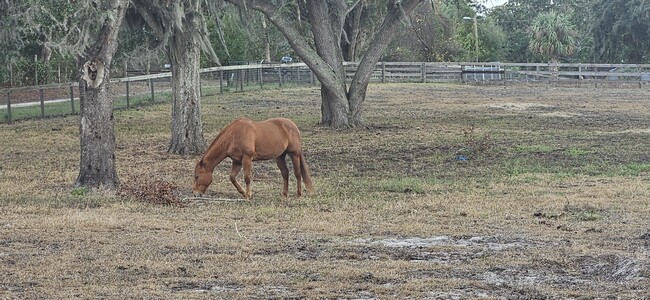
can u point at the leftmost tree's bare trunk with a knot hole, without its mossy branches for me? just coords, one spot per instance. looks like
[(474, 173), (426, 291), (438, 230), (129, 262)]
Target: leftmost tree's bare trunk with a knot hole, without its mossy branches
[(96, 122)]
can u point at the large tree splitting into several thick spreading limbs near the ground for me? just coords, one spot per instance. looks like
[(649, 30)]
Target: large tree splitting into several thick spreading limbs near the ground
[(321, 49)]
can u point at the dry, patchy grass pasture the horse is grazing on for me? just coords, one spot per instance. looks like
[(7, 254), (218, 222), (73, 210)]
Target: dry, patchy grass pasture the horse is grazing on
[(450, 192)]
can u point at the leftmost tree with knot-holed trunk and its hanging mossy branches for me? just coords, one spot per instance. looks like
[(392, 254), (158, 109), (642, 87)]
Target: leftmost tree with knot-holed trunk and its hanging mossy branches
[(88, 31)]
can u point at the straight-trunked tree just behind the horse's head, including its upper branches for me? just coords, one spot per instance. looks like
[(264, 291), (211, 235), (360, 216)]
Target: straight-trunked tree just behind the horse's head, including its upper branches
[(180, 27)]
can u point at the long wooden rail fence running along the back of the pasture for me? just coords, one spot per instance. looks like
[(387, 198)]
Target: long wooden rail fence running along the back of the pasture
[(59, 99)]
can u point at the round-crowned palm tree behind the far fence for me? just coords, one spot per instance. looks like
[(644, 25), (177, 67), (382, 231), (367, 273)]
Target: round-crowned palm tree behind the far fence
[(552, 36)]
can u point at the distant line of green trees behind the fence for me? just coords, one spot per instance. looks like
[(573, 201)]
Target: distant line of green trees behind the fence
[(603, 31)]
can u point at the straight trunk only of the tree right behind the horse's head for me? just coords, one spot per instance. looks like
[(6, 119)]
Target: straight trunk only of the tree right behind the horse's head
[(184, 55)]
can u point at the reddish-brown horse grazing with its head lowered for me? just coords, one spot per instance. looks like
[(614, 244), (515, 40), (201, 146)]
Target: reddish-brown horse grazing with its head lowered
[(245, 141)]
